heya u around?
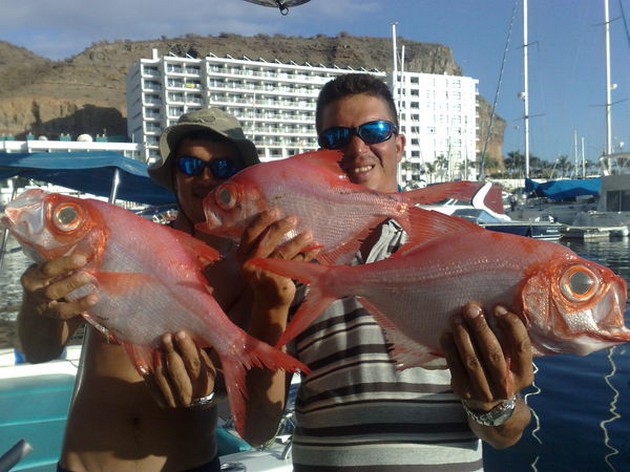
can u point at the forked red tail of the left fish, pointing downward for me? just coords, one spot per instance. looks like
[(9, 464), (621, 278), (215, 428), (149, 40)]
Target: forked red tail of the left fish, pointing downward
[(253, 353)]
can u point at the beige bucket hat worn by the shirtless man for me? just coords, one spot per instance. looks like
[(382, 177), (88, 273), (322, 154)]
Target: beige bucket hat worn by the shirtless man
[(210, 119)]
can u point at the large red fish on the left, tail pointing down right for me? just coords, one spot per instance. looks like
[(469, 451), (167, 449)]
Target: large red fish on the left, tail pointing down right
[(149, 279)]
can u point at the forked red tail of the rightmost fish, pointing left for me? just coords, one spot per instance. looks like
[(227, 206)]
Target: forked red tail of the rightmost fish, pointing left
[(322, 290)]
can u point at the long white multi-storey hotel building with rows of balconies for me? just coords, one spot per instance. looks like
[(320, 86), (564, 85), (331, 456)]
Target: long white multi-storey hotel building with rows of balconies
[(275, 103)]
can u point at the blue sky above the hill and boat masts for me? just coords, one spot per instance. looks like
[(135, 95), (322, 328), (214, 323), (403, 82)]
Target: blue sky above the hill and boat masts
[(566, 48)]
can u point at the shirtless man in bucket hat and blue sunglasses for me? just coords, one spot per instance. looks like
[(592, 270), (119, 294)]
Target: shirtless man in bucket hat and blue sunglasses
[(116, 423)]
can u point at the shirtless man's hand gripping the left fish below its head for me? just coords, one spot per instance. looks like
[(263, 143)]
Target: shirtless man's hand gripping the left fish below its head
[(46, 320)]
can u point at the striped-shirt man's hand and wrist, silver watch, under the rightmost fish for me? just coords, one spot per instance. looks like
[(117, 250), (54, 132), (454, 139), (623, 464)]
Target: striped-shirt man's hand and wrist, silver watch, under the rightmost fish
[(488, 369)]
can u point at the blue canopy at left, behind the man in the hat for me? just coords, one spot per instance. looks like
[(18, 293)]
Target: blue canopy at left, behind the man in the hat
[(90, 172)]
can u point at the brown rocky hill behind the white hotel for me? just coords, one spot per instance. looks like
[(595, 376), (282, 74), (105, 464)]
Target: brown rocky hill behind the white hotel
[(86, 93)]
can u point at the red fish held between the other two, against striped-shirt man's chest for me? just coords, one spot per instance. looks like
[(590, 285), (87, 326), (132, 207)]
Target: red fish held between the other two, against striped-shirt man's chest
[(312, 187)]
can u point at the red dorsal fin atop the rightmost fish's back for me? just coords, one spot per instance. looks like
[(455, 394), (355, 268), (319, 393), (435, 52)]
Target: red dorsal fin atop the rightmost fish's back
[(424, 227)]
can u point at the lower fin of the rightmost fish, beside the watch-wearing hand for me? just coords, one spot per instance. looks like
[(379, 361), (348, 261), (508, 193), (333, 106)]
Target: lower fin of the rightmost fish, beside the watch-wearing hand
[(405, 351)]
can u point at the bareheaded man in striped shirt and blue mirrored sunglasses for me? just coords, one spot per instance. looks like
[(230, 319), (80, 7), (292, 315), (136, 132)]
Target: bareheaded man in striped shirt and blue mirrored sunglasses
[(355, 411)]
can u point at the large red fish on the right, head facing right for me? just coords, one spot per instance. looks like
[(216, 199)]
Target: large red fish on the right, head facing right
[(569, 304)]
